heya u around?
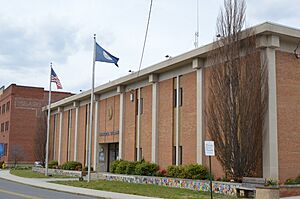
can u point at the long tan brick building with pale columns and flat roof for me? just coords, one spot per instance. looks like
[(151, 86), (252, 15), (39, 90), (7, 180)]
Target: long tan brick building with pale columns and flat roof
[(159, 115)]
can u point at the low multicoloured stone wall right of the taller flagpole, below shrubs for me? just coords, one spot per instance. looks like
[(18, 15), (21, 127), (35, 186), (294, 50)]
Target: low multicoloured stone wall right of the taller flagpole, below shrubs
[(197, 185)]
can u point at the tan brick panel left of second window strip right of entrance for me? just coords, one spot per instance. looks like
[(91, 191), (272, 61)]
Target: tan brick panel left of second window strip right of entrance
[(165, 123)]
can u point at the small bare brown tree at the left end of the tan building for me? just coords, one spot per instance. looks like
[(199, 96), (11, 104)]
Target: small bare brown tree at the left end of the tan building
[(40, 137)]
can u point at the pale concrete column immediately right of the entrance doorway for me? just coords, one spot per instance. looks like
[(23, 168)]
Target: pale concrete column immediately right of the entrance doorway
[(120, 90)]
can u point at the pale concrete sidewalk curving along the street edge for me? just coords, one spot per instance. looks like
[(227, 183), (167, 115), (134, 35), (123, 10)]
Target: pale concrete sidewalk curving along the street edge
[(45, 183)]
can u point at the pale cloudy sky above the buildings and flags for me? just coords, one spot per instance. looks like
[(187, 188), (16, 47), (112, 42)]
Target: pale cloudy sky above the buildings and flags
[(34, 33)]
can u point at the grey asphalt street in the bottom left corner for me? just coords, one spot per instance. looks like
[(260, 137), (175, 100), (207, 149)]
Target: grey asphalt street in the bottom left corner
[(12, 190)]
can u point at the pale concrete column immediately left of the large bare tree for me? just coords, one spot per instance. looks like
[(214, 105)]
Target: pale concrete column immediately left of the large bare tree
[(199, 64)]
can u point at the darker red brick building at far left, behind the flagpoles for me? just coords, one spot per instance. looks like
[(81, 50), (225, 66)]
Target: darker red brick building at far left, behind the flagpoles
[(23, 122)]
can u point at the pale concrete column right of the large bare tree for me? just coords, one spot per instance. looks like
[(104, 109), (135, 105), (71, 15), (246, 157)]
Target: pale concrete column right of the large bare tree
[(270, 139)]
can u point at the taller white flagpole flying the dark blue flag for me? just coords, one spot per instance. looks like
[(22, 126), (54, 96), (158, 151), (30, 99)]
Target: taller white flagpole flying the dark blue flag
[(91, 113)]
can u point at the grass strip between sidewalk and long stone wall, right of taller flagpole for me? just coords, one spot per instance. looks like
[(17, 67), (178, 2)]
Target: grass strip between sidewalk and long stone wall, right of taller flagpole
[(141, 189)]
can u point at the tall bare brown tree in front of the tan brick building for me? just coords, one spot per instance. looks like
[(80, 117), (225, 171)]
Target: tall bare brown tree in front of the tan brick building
[(237, 100)]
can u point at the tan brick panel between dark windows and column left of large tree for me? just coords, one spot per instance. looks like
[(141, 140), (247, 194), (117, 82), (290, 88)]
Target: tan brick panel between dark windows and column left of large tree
[(188, 115)]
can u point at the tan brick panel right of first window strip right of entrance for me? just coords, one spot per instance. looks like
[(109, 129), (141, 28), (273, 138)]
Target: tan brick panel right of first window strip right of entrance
[(146, 123)]
